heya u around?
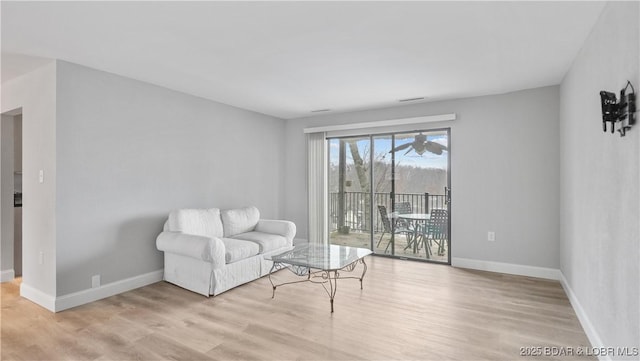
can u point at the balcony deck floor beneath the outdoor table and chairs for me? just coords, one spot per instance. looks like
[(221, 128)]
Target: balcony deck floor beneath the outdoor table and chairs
[(363, 240)]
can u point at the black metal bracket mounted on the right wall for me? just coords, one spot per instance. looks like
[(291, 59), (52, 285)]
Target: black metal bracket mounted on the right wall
[(620, 115)]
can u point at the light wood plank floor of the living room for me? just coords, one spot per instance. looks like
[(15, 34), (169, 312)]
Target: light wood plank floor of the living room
[(407, 310)]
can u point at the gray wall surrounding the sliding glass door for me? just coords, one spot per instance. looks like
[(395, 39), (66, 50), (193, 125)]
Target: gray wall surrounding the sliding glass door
[(504, 175)]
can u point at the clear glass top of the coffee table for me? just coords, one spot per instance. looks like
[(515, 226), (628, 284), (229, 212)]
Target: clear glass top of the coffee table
[(328, 258)]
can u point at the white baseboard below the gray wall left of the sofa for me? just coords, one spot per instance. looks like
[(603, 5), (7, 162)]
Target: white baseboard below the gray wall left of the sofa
[(110, 289)]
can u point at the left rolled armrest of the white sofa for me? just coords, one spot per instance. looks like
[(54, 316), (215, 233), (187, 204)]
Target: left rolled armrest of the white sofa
[(198, 247)]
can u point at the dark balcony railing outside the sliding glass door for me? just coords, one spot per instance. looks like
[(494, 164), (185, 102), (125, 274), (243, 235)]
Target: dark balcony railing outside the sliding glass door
[(356, 208)]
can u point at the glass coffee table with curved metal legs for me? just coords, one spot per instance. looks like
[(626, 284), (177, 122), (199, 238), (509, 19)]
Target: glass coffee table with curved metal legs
[(320, 264)]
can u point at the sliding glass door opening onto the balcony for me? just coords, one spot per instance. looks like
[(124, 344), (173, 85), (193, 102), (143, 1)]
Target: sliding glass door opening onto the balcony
[(390, 193)]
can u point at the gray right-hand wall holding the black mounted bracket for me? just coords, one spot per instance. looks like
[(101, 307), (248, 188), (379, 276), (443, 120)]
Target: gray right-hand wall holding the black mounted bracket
[(600, 244)]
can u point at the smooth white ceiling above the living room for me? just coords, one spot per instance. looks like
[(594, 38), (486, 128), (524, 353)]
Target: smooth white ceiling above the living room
[(288, 58)]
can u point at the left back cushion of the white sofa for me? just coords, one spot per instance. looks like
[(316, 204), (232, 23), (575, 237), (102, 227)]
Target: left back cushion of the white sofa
[(200, 222)]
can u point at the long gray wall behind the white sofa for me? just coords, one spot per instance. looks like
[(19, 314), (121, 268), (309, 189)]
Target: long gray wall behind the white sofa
[(129, 152)]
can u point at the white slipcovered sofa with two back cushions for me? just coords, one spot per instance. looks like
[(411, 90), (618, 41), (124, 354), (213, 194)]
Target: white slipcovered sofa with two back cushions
[(209, 251)]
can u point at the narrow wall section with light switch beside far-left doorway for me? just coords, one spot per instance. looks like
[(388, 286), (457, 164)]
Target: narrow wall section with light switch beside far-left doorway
[(35, 93)]
